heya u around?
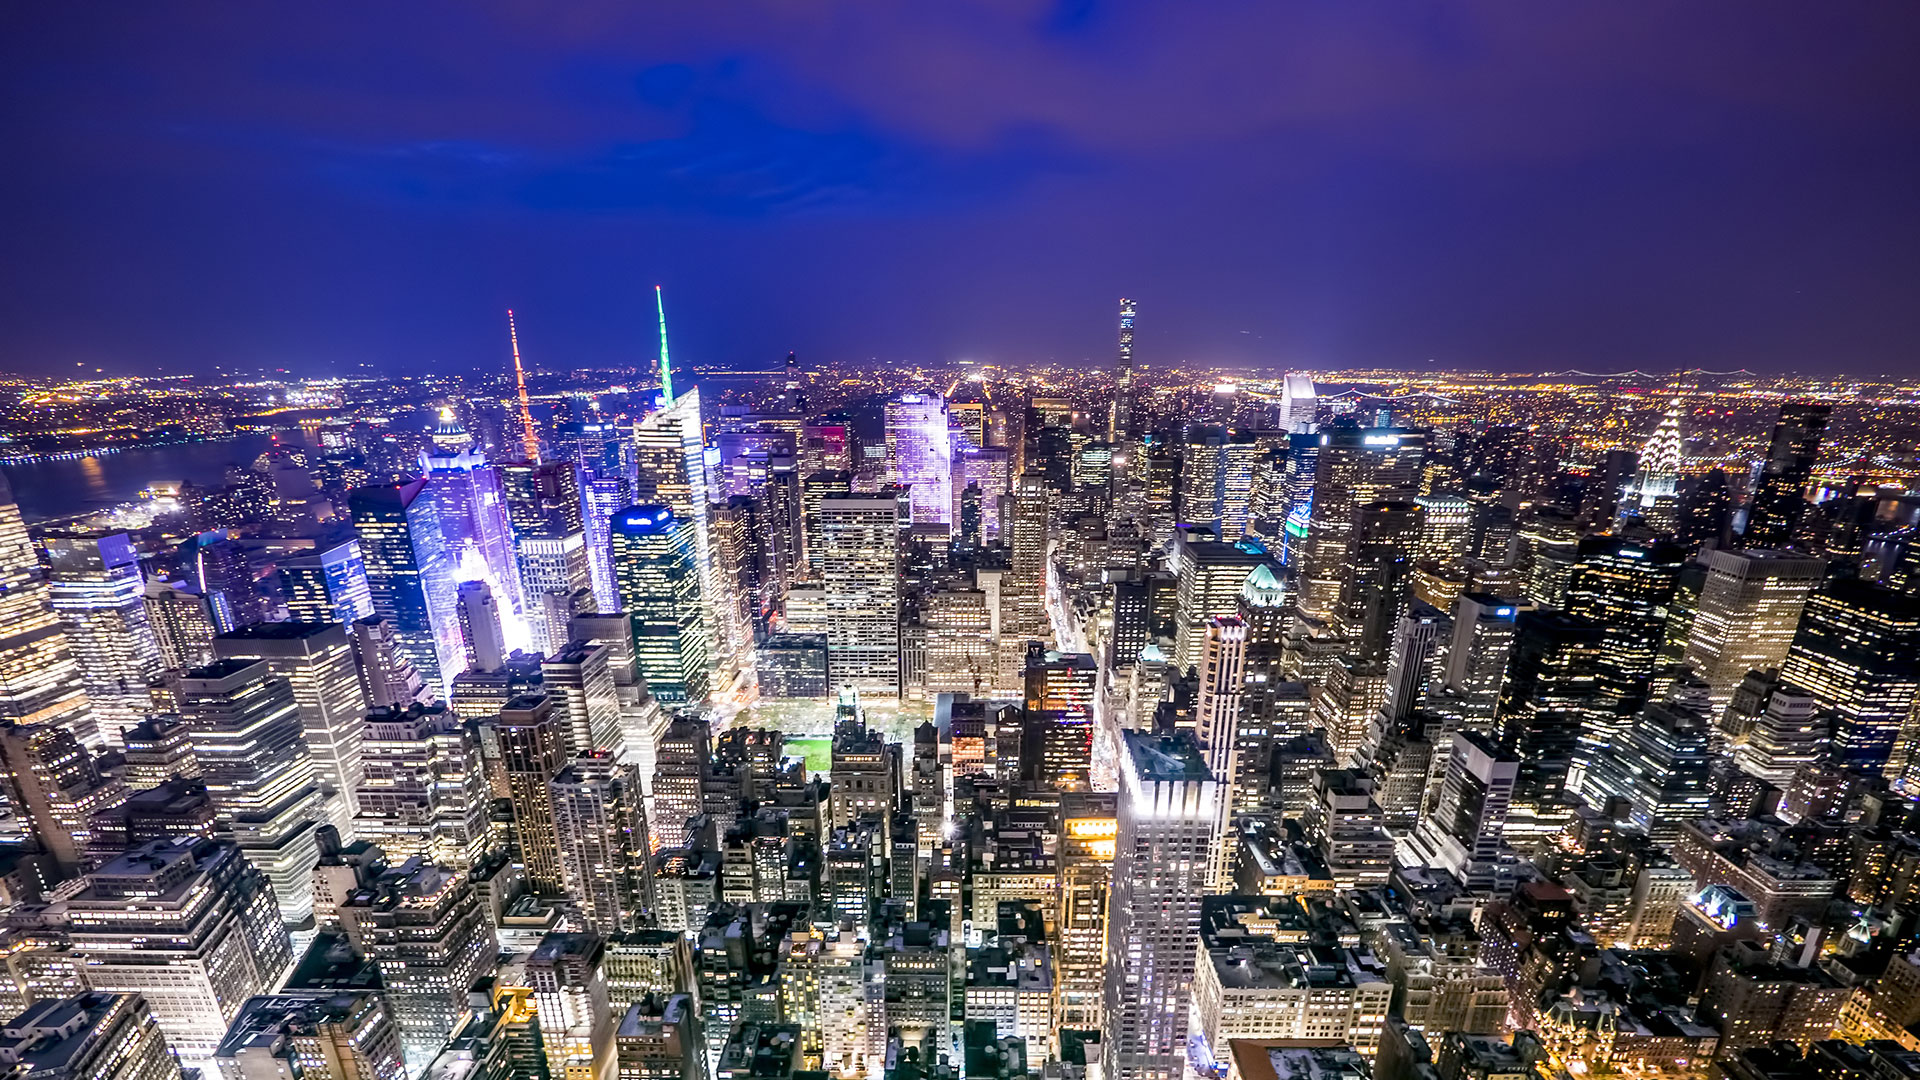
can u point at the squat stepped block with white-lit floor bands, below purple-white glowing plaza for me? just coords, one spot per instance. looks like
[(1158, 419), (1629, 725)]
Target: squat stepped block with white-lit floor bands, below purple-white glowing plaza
[(425, 789)]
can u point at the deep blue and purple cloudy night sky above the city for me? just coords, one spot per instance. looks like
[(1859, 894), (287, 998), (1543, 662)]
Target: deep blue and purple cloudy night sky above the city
[(1520, 185)]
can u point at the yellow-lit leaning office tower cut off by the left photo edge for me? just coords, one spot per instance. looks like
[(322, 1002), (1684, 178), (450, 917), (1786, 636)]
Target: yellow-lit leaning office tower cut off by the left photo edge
[(39, 679)]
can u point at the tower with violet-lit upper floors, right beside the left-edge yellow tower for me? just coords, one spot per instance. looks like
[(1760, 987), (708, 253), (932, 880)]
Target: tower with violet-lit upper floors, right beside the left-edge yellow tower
[(101, 599)]
